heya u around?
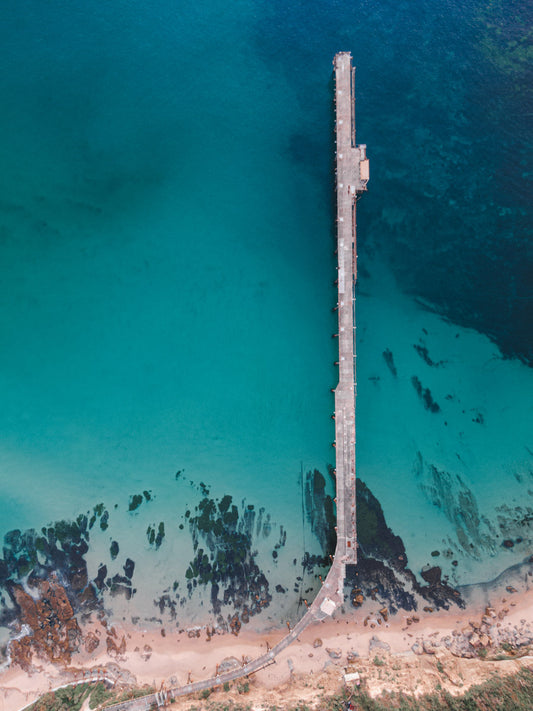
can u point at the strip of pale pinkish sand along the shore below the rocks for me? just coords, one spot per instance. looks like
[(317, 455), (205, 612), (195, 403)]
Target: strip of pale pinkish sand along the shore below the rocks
[(410, 652)]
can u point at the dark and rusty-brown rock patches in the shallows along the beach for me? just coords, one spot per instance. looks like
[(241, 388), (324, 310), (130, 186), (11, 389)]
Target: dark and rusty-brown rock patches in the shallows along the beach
[(47, 596)]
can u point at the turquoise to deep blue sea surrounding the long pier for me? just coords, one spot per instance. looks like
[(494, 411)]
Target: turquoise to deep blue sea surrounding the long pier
[(166, 253)]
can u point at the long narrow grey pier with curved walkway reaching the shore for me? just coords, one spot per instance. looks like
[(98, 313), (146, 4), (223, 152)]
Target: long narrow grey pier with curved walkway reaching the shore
[(351, 177)]
